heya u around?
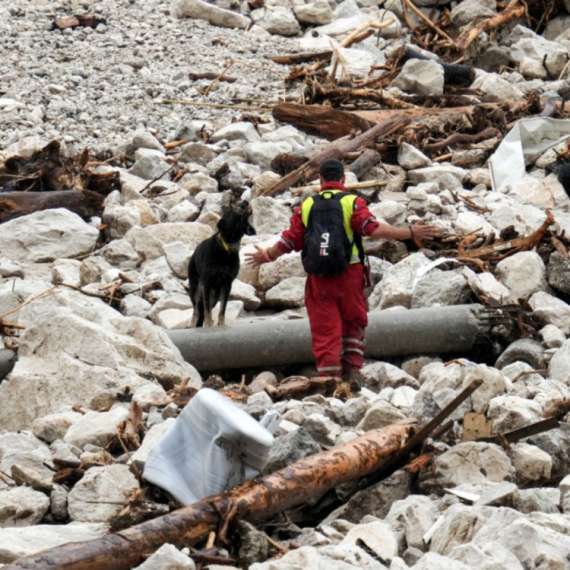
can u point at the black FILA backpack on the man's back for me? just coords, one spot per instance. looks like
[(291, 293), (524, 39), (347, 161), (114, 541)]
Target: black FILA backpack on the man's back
[(327, 250)]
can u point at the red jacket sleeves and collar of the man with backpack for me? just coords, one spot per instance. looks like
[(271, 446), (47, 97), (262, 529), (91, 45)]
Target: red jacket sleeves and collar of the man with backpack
[(362, 222)]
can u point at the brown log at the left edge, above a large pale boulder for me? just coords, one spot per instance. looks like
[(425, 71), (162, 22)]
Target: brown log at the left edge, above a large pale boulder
[(83, 203)]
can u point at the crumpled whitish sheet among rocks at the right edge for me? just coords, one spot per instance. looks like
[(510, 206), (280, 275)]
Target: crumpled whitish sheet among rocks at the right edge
[(525, 142)]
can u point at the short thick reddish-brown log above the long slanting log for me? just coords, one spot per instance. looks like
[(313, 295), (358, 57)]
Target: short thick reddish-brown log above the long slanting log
[(320, 121)]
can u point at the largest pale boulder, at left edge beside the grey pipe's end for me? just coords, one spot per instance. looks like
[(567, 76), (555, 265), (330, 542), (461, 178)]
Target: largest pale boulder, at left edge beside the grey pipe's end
[(78, 351)]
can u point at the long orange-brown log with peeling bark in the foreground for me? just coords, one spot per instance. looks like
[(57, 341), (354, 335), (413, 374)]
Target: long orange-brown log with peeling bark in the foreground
[(304, 481)]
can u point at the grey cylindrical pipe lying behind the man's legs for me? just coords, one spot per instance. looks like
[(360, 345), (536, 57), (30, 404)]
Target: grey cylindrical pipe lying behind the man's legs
[(436, 330)]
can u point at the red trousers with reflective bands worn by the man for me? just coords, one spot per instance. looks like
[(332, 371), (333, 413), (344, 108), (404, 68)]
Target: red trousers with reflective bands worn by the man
[(337, 315)]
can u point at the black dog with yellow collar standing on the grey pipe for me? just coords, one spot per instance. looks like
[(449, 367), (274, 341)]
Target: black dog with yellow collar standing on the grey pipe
[(215, 264)]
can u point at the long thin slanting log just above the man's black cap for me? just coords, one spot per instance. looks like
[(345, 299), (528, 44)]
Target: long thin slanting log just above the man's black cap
[(337, 150)]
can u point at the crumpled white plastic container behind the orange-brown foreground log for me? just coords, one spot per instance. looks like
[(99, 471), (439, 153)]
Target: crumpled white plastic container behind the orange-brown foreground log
[(212, 446)]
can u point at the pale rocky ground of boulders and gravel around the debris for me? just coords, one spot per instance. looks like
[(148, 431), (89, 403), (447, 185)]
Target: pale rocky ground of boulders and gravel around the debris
[(93, 299)]
